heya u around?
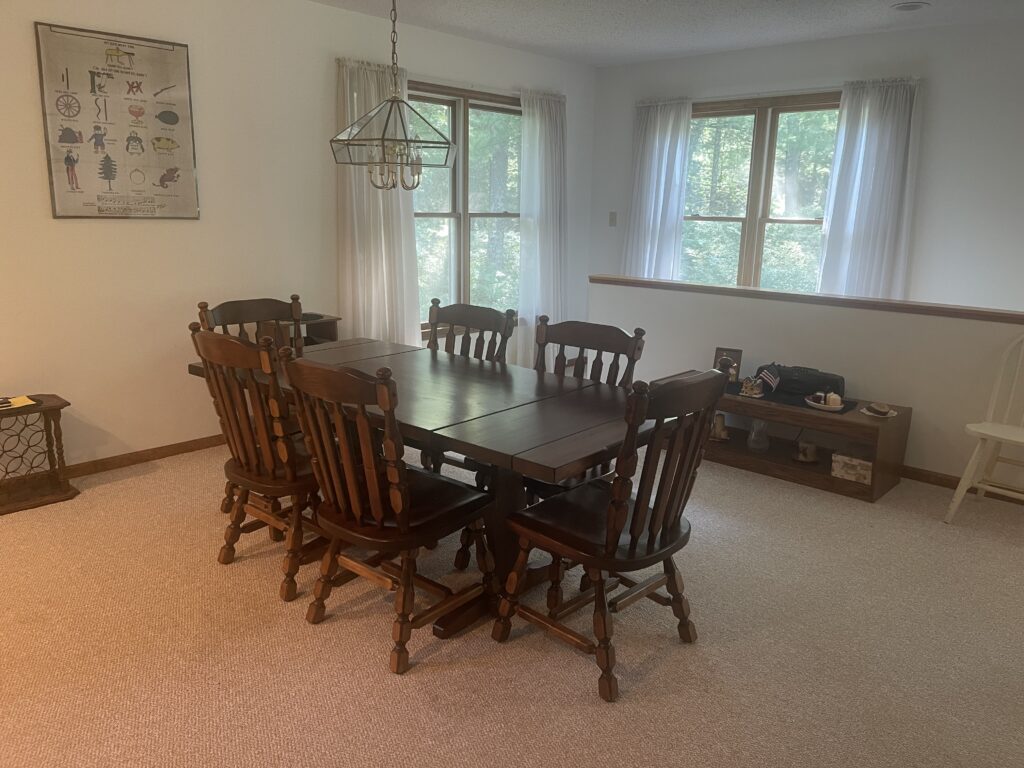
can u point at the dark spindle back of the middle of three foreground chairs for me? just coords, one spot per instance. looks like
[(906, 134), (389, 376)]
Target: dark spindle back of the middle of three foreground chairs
[(357, 456)]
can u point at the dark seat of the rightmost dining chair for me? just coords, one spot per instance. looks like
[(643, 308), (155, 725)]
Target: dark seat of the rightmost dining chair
[(573, 525)]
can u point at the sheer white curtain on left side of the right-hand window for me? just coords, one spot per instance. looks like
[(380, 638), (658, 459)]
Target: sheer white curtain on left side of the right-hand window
[(654, 235)]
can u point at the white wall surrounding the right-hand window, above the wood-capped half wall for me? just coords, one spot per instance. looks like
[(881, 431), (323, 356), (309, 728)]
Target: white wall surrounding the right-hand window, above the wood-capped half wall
[(966, 247)]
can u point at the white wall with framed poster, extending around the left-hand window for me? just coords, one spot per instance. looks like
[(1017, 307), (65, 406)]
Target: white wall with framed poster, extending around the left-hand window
[(98, 311)]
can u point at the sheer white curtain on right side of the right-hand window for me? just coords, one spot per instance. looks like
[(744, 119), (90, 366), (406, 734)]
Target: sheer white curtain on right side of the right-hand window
[(868, 217)]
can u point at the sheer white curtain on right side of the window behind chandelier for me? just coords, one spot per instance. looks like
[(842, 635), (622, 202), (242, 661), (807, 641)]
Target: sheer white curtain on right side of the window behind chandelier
[(543, 221)]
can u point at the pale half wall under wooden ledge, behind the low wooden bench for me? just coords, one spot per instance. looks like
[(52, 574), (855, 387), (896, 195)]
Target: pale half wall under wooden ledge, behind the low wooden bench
[(942, 367)]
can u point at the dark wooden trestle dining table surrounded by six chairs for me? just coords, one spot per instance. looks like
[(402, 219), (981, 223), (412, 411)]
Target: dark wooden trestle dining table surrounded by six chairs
[(523, 422)]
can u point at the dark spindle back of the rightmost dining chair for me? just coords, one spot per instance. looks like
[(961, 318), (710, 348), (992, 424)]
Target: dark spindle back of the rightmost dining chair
[(682, 410)]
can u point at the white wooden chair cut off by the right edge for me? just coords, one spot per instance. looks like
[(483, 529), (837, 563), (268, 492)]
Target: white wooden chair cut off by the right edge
[(1004, 425)]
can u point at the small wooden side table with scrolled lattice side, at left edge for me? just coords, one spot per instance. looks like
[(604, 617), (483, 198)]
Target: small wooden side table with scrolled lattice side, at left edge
[(32, 465)]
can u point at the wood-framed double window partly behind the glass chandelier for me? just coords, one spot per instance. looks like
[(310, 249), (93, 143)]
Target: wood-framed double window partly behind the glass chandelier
[(467, 218)]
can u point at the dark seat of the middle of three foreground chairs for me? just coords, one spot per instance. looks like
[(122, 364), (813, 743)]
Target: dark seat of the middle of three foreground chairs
[(440, 507)]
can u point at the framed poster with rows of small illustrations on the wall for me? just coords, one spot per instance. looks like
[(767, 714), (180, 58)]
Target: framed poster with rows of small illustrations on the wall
[(117, 112)]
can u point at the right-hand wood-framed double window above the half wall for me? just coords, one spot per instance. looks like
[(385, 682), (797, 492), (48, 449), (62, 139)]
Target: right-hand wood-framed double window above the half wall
[(756, 190)]
